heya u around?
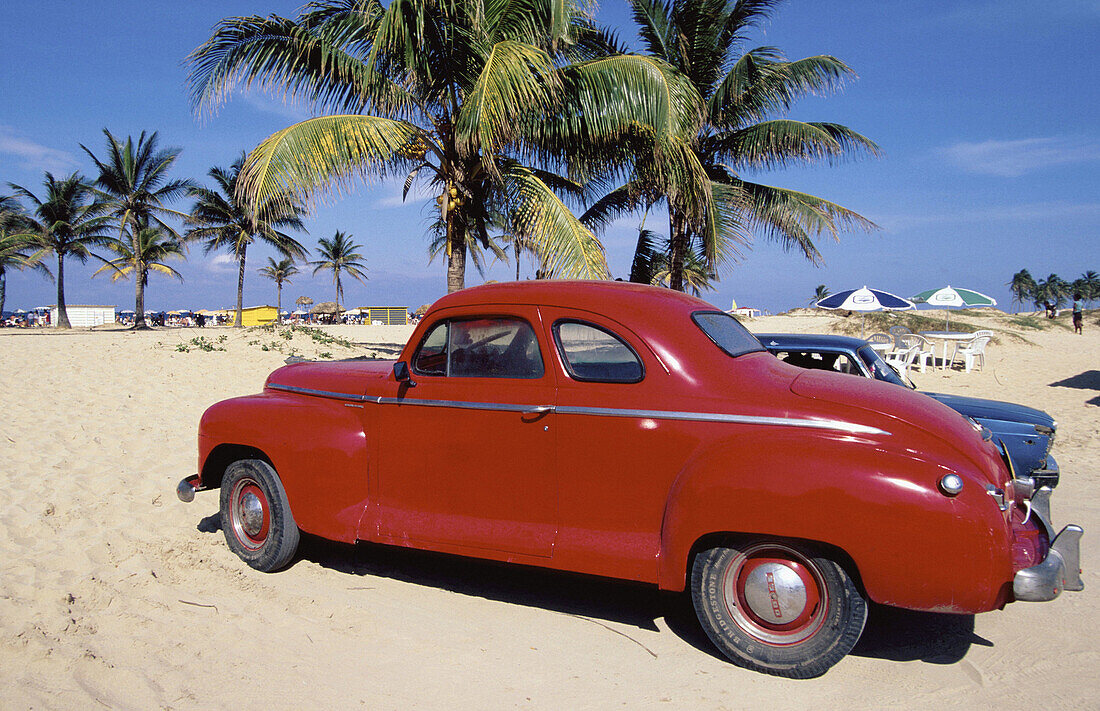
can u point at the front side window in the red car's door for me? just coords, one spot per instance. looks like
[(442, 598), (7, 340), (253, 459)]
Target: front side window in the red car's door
[(480, 348)]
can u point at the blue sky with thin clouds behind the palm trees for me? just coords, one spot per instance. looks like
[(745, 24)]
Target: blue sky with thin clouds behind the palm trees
[(987, 113)]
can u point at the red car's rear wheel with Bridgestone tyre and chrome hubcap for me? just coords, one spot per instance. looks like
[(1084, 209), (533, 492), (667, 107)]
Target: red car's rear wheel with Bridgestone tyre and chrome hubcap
[(777, 607)]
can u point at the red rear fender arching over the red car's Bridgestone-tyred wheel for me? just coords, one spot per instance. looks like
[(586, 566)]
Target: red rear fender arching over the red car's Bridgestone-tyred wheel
[(911, 545)]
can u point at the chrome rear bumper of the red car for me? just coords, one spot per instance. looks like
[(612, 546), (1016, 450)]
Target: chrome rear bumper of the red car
[(1062, 568)]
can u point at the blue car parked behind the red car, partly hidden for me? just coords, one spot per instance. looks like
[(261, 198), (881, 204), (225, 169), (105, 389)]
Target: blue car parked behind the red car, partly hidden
[(1028, 434)]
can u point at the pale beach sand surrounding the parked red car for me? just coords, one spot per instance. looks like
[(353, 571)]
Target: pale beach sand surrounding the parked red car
[(115, 595)]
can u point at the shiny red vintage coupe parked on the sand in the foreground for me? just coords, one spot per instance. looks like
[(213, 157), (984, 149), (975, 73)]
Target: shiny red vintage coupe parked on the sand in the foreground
[(641, 434)]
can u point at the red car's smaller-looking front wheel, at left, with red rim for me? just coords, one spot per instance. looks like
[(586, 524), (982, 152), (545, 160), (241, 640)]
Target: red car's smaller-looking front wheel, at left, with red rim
[(256, 516)]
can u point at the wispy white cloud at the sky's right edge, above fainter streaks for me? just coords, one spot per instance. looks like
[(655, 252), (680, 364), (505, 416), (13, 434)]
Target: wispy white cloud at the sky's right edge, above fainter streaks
[(1014, 159)]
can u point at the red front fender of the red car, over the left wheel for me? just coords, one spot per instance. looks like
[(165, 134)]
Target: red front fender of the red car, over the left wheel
[(317, 446)]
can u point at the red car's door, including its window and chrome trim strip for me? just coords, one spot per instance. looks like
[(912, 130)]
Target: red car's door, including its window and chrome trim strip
[(467, 455)]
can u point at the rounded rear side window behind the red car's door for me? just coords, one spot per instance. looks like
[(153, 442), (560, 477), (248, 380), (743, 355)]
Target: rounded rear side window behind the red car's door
[(592, 354)]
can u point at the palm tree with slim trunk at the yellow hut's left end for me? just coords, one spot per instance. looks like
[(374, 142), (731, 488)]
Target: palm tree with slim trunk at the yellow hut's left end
[(223, 220)]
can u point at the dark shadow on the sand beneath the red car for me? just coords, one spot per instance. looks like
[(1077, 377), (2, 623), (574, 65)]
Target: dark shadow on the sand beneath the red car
[(893, 635)]
